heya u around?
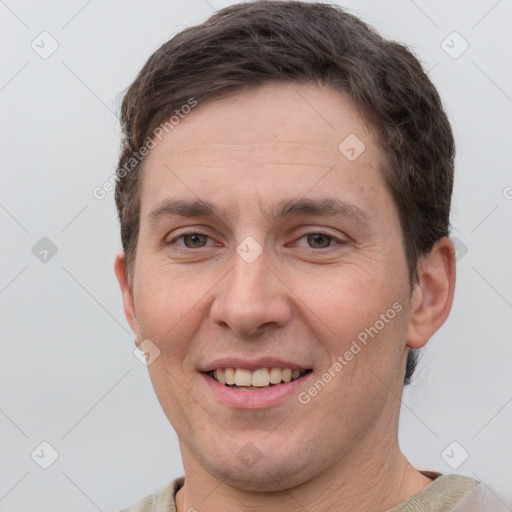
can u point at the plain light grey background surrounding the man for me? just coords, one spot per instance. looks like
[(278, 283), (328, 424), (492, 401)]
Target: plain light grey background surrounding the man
[(68, 375)]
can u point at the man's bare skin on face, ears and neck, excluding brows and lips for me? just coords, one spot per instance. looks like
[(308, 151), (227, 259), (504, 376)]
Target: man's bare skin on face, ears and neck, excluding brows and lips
[(303, 299)]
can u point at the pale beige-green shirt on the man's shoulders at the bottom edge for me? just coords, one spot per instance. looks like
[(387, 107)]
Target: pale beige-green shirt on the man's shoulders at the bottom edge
[(446, 493)]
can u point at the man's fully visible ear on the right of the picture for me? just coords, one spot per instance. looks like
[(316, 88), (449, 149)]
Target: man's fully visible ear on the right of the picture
[(433, 294)]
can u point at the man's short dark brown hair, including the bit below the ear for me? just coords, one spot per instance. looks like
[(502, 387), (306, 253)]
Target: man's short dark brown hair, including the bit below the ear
[(250, 44)]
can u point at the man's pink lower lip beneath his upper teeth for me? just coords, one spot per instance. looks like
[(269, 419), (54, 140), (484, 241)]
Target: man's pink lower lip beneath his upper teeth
[(258, 398)]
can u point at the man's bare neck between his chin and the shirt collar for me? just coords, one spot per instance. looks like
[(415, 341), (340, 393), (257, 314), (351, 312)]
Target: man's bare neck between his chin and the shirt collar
[(377, 478)]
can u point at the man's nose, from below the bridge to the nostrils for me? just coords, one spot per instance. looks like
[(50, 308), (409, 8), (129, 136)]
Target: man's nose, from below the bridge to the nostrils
[(252, 299)]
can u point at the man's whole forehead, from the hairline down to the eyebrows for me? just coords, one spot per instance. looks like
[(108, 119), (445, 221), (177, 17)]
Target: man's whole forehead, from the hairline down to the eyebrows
[(287, 140)]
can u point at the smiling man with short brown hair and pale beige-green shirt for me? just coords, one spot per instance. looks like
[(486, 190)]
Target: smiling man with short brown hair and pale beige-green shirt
[(284, 196)]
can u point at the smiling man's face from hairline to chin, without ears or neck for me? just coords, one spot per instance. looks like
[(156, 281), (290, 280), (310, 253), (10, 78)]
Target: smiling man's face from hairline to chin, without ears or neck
[(266, 252)]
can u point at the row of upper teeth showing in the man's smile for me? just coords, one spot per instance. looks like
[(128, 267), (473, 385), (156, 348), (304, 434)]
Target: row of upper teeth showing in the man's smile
[(260, 378)]
